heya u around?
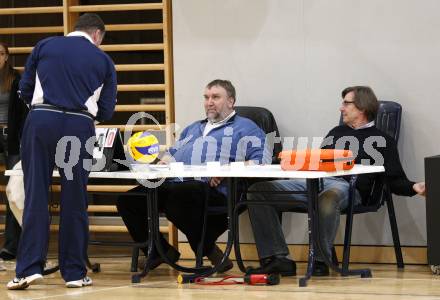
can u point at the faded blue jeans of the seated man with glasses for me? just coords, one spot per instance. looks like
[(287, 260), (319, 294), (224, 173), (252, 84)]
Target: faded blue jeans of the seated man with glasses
[(265, 222)]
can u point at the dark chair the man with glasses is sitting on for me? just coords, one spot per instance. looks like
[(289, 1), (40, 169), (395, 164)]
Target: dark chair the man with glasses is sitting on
[(388, 120)]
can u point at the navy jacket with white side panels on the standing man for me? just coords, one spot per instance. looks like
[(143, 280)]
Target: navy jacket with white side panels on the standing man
[(70, 72)]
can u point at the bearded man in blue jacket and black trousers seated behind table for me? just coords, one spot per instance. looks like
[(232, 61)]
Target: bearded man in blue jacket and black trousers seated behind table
[(223, 136)]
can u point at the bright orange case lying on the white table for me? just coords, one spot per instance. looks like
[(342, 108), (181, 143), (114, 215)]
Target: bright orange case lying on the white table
[(328, 160)]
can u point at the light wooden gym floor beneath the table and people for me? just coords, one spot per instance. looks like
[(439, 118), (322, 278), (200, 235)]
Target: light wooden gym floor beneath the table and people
[(415, 282)]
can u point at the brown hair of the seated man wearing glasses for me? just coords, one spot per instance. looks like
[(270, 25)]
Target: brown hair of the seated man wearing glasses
[(364, 99)]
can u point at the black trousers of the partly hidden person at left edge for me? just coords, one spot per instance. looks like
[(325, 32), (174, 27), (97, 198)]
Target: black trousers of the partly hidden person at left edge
[(12, 228)]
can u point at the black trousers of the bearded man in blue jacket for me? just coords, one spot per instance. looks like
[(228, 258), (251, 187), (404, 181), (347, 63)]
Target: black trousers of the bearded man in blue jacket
[(183, 204)]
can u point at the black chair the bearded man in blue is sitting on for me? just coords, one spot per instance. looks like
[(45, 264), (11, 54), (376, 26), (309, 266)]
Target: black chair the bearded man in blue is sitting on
[(266, 121)]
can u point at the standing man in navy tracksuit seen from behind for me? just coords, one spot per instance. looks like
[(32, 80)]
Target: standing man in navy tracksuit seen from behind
[(69, 83)]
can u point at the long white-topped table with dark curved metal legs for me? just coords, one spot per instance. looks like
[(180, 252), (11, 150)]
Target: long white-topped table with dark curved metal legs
[(149, 175)]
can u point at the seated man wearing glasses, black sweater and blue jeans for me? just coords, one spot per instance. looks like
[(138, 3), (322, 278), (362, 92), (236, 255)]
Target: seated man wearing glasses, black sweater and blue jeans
[(358, 133)]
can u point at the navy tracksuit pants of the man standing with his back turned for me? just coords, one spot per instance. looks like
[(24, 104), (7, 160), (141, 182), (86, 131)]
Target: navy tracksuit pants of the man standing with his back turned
[(41, 133)]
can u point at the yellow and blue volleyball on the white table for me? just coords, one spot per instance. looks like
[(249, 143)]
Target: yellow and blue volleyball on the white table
[(143, 147)]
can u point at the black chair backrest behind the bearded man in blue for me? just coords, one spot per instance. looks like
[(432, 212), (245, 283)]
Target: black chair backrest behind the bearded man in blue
[(265, 120)]
